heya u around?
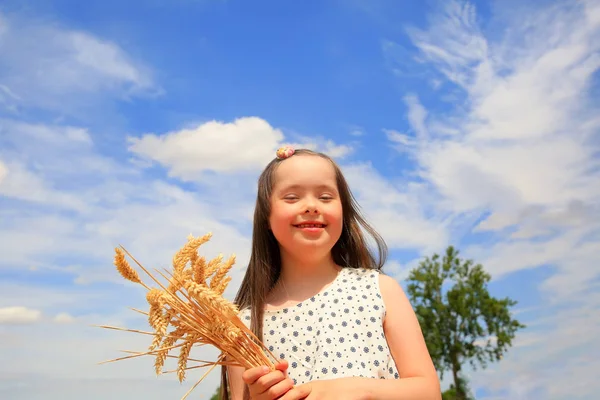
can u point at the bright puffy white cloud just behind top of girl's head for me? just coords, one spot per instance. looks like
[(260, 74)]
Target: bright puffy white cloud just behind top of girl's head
[(244, 145)]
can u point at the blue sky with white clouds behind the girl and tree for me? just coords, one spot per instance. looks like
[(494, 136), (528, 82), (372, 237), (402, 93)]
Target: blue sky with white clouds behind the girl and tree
[(466, 123)]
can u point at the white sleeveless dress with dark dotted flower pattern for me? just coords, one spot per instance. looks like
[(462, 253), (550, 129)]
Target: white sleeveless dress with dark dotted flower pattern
[(336, 333)]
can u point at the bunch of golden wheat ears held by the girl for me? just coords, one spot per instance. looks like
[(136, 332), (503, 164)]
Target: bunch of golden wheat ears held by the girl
[(190, 310)]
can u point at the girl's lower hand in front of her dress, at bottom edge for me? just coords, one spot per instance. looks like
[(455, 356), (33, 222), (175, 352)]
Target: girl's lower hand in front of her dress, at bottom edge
[(342, 388)]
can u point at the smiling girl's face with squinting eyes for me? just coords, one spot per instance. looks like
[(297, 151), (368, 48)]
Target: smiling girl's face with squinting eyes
[(306, 210)]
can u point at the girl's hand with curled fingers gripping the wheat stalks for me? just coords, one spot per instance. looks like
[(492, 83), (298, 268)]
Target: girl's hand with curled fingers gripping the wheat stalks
[(264, 384)]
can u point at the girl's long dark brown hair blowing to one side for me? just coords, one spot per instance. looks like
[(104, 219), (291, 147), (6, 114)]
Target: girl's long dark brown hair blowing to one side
[(350, 251)]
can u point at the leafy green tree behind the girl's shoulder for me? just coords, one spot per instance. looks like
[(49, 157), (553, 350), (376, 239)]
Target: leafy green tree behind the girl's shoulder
[(460, 320)]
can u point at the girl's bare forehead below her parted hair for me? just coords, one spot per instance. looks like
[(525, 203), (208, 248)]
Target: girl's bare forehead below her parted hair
[(305, 170)]
